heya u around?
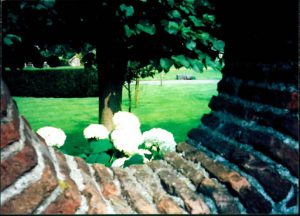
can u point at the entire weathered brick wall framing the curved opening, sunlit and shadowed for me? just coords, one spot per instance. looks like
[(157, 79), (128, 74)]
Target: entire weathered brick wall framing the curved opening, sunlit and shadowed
[(243, 157)]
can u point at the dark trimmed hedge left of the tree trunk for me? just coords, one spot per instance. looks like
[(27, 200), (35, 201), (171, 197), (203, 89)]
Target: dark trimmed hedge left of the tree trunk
[(53, 82)]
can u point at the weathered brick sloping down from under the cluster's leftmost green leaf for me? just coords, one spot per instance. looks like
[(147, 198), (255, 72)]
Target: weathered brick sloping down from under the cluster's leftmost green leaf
[(109, 189)]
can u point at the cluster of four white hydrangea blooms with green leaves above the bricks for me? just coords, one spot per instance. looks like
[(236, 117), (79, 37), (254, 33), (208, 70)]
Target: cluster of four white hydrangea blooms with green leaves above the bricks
[(126, 144)]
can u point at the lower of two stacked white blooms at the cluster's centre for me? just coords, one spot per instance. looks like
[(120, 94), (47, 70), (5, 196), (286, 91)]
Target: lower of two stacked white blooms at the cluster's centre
[(127, 141)]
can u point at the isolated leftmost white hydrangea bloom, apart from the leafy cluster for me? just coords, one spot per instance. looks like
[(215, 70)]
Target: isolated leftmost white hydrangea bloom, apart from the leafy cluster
[(52, 136)]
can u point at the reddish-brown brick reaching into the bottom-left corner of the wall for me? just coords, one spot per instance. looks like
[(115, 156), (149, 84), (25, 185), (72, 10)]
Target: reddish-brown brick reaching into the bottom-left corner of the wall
[(31, 197)]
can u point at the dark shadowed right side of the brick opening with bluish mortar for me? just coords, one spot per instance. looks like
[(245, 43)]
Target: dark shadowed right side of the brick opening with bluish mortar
[(254, 120)]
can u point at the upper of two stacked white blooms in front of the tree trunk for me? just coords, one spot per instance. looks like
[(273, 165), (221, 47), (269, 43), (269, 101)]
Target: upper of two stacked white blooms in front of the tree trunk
[(125, 120)]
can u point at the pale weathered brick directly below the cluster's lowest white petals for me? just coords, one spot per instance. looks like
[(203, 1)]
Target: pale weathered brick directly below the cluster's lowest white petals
[(134, 197)]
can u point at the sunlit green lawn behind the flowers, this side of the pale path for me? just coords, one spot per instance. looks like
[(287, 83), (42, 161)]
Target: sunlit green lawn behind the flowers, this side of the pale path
[(176, 108)]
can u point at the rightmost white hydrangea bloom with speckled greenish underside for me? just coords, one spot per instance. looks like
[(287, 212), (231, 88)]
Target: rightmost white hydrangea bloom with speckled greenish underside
[(161, 138)]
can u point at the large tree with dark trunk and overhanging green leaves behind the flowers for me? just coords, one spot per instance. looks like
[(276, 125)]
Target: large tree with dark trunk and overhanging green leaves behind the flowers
[(160, 33)]
